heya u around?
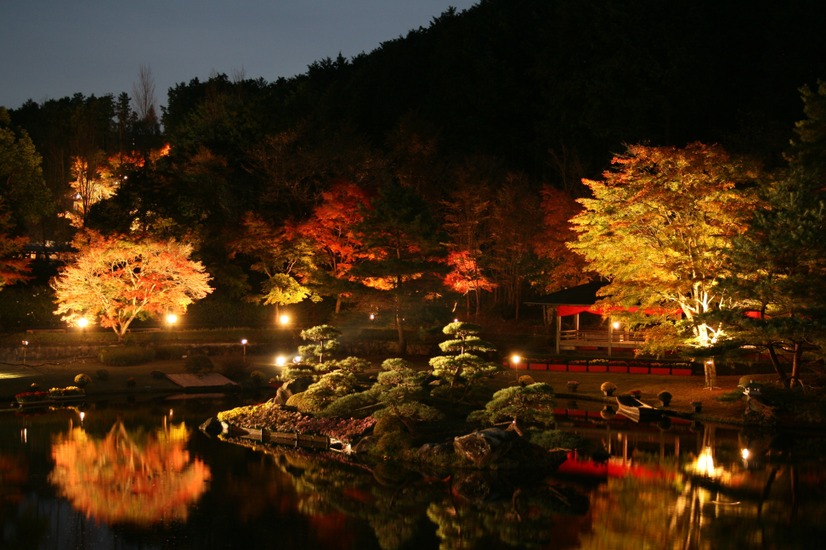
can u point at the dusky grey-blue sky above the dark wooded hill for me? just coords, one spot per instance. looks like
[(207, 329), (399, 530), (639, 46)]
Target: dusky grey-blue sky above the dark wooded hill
[(51, 49)]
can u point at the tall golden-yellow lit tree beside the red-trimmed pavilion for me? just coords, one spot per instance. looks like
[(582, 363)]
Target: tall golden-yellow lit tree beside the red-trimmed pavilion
[(658, 227)]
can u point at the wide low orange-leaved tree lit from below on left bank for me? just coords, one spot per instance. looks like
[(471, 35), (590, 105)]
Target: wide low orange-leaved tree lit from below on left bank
[(119, 279)]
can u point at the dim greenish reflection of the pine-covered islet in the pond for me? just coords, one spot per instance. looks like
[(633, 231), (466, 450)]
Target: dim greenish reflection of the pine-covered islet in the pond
[(469, 509)]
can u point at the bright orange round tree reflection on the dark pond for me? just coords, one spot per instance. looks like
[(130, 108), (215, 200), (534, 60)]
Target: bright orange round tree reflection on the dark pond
[(136, 478)]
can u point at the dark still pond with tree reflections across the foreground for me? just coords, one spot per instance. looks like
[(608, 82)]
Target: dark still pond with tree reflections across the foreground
[(142, 475)]
